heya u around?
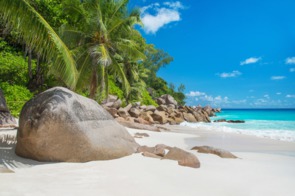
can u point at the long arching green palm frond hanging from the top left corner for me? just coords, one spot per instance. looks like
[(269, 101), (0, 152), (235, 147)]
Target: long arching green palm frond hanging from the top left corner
[(40, 37)]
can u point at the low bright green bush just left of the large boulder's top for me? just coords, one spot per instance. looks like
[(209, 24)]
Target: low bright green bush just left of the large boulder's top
[(16, 96)]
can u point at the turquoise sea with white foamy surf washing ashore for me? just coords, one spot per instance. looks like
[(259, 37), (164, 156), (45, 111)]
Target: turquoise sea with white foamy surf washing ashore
[(277, 124)]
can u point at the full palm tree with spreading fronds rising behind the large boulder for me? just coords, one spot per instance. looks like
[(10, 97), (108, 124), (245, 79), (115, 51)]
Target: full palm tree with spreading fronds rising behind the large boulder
[(101, 40)]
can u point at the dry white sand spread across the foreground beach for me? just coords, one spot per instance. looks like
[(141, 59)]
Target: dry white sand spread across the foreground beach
[(255, 173)]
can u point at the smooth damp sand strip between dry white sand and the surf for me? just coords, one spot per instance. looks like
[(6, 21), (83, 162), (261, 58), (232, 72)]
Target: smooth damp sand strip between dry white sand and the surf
[(236, 142)]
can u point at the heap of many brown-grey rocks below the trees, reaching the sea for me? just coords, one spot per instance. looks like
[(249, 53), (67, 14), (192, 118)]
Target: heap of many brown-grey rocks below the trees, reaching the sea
[(168, 112)]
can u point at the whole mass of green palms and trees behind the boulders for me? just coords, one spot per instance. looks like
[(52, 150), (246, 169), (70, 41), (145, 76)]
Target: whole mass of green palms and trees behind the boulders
[(92, 46)]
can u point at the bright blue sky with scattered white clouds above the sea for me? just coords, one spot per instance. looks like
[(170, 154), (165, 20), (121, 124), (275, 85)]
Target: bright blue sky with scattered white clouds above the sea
[(227, 53)]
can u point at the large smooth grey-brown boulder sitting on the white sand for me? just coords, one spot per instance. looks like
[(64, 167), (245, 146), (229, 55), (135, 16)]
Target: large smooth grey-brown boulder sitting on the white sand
[(60, 125)]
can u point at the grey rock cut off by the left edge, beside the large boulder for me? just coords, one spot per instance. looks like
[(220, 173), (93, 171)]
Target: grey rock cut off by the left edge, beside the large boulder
[(6, 120)]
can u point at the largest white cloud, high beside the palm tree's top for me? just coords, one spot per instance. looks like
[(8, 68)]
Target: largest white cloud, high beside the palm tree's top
[(162, 15)]
